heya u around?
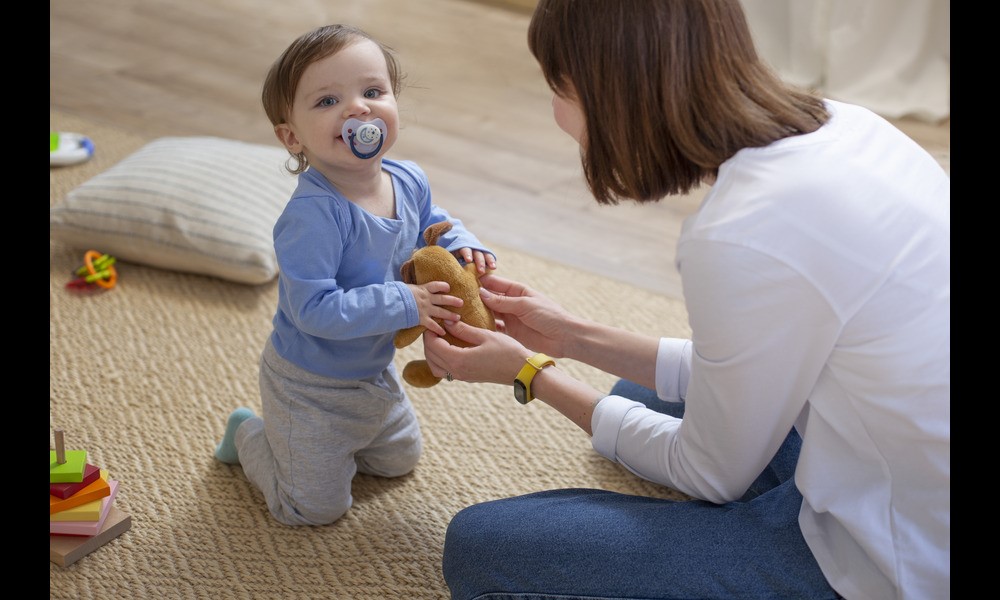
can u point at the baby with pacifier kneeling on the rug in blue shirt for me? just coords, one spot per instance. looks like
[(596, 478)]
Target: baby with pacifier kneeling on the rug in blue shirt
[(332, 401)]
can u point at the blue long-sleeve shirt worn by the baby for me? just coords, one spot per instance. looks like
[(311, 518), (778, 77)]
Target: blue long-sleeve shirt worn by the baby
[(340, 298)]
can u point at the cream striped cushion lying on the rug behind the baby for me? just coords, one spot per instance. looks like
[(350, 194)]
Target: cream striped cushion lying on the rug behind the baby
[(196, 204)]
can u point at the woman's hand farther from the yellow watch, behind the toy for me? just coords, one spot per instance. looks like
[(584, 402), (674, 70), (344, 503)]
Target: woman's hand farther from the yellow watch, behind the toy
[(528, 316)]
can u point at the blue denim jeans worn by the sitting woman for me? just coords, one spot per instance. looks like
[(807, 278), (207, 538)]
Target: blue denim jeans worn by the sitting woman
[(593, 544)]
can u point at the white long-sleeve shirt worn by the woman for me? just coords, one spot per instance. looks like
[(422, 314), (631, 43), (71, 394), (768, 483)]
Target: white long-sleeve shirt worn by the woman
[(817, 278)]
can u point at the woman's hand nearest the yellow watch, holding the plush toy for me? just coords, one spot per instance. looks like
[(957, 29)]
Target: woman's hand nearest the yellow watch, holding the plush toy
[(492, 357)]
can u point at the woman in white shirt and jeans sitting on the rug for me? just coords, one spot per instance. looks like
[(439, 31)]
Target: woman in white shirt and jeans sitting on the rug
[(809, 413)]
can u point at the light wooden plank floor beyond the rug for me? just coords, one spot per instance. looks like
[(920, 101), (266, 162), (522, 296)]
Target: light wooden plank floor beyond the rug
[(476, 112)]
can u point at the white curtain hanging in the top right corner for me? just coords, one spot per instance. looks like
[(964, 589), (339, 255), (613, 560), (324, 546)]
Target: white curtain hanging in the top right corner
[(892, 56)]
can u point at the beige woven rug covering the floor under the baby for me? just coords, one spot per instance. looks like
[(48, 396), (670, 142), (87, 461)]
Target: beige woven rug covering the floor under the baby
[(143, 377)]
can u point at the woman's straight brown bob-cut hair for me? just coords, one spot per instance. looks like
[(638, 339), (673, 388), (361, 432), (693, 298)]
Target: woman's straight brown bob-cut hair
[(670, 89)]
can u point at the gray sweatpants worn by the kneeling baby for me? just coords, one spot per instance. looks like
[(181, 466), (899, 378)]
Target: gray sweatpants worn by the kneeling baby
[(315, 433)]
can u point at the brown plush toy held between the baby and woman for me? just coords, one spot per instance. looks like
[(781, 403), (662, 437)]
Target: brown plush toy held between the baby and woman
[(434, 263)]
